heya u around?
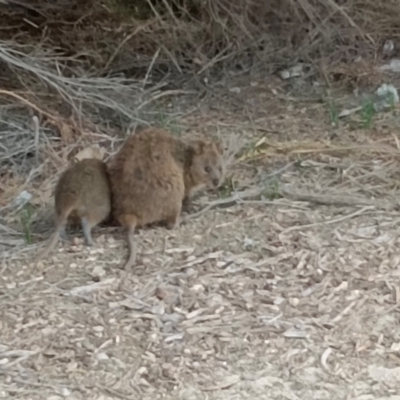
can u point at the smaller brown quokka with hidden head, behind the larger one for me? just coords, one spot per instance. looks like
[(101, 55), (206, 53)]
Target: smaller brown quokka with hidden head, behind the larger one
[(82, 194)]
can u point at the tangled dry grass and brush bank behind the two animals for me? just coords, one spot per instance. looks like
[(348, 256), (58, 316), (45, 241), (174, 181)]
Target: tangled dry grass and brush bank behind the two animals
[(103, 68)]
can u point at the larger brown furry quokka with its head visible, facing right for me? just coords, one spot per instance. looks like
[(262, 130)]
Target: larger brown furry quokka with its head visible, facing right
[(153, 173)]
